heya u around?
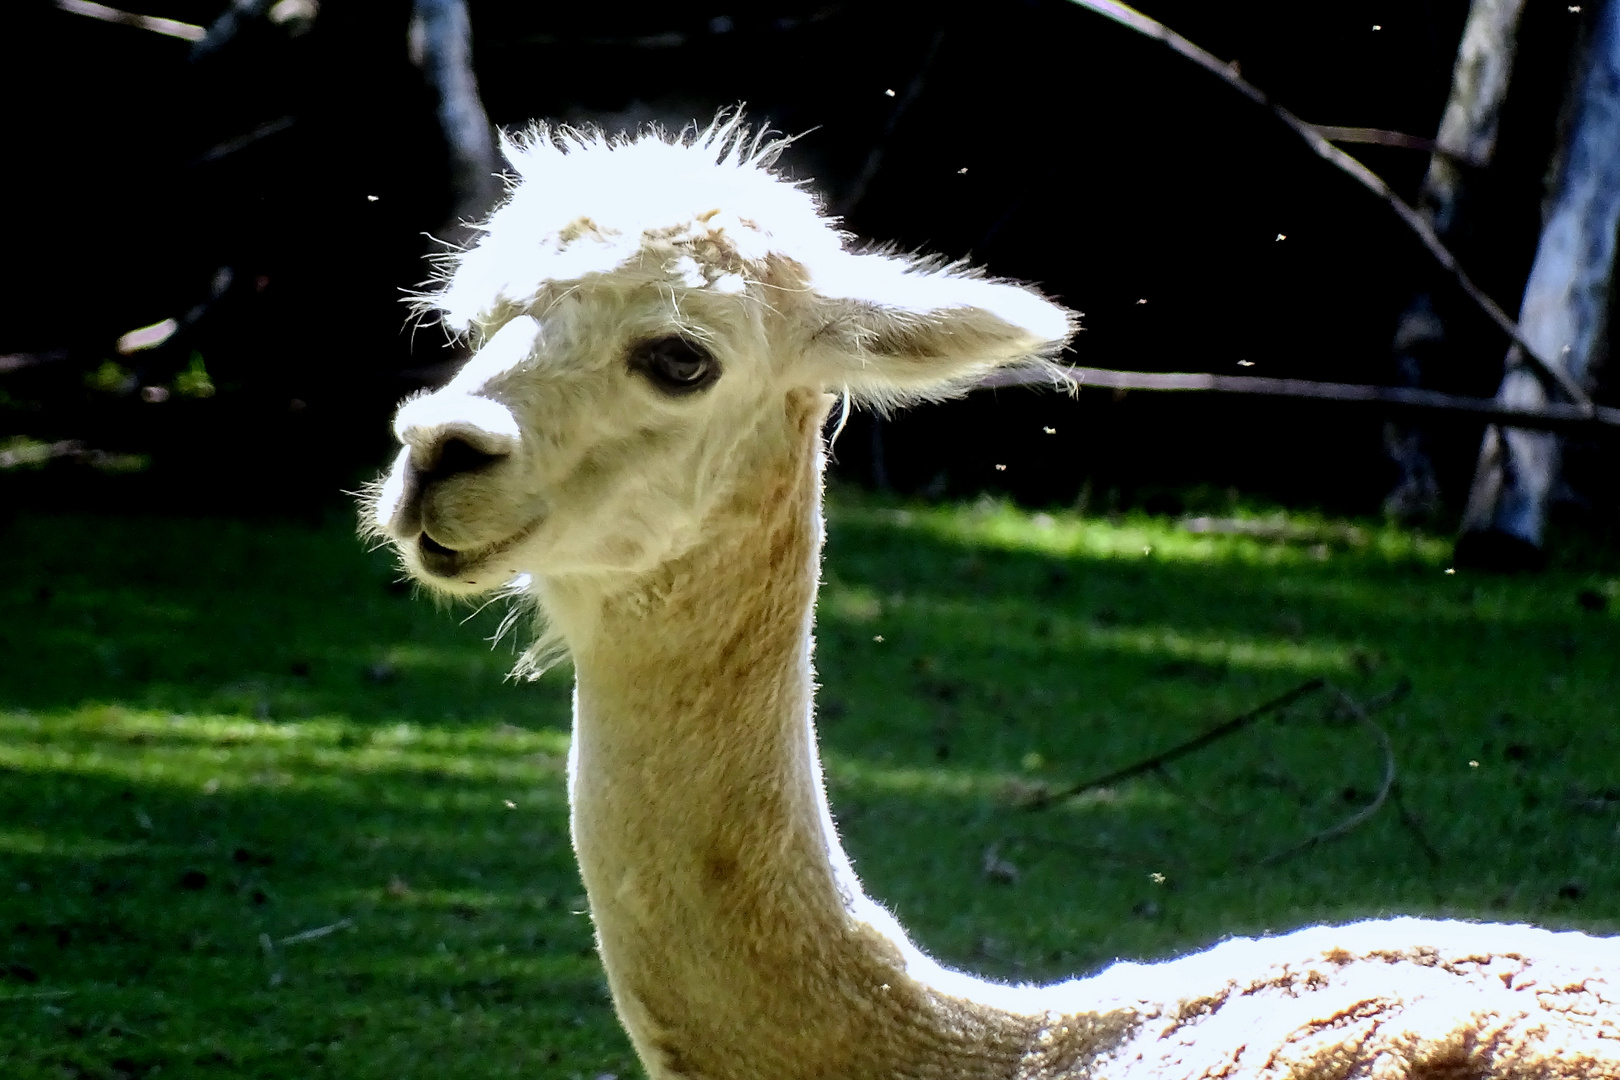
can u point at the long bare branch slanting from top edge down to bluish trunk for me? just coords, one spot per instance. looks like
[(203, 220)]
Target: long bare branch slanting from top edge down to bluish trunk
[(1352, 168)]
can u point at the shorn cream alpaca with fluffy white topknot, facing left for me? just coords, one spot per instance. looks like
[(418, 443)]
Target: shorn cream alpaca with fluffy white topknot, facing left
[(660, 330)]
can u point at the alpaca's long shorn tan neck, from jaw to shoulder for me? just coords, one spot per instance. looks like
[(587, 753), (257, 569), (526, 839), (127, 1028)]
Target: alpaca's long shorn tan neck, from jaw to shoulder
[(736, 942)]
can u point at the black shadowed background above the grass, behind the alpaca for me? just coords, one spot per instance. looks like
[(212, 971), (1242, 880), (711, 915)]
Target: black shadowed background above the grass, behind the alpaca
[(1099, 166)]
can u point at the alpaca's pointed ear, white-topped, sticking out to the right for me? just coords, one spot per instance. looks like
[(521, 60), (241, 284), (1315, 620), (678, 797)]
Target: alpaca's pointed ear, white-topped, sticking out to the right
[(897, 330)]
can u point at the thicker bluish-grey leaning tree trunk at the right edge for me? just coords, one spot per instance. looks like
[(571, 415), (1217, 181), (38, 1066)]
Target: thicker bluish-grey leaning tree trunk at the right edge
[(1562, 313)]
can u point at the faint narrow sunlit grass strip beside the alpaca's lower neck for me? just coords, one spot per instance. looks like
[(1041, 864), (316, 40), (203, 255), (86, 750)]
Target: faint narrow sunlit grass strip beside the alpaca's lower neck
[(859, 776)]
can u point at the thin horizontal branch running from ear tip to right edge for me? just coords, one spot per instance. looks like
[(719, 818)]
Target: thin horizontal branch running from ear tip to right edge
[(1550, 417)]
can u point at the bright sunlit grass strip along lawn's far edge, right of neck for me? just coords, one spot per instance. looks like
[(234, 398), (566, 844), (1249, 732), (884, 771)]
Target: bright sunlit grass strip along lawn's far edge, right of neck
[(1271, 540)]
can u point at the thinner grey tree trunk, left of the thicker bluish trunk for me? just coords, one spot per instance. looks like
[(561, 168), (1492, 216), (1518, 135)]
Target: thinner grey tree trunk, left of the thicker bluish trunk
[(1467, 140)]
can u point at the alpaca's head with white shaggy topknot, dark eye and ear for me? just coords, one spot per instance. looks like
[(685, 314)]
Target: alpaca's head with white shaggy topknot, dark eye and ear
[(639, 313)]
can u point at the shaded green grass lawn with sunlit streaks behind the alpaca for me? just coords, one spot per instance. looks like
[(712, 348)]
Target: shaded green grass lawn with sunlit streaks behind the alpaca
[(265, 815)]
